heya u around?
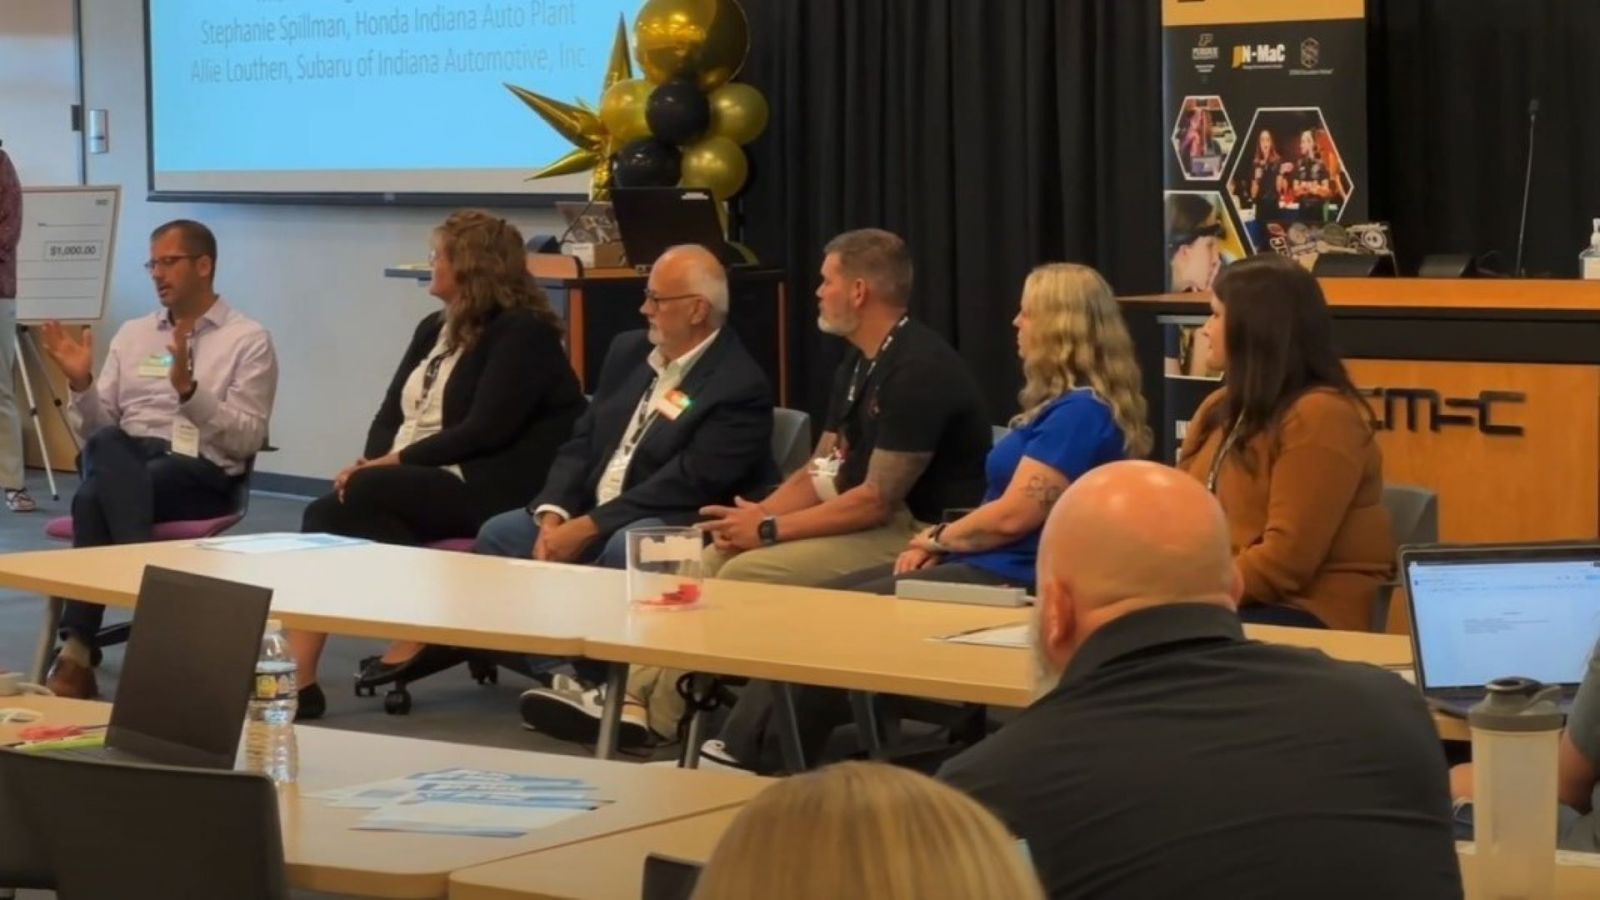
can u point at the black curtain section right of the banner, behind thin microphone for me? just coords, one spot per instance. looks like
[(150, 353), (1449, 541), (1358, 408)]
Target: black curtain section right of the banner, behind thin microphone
[(1450, 89)]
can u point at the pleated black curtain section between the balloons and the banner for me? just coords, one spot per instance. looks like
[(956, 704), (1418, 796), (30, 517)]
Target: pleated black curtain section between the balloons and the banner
[(991, 135)]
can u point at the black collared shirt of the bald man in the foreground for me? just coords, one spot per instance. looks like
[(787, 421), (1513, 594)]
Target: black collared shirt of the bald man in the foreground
[(1180, 760)]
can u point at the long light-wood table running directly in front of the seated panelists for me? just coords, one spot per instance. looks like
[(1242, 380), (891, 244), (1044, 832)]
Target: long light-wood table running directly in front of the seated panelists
[(777, 633)]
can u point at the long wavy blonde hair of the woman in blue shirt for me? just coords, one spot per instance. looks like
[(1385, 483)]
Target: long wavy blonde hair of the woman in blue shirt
[(1079, 340)]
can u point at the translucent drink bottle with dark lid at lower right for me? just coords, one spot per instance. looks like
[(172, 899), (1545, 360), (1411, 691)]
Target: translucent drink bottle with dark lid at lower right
[(1514, 781)]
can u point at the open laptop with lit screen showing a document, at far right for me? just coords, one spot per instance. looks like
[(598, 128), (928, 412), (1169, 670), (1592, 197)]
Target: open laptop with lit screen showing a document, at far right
[(1495, 611)]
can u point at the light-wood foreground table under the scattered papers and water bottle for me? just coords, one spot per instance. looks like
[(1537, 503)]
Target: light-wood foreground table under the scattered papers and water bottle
[(324, 853)]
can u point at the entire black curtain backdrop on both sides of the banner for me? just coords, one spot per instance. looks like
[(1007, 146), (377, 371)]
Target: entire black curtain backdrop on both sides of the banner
[(996, 135)]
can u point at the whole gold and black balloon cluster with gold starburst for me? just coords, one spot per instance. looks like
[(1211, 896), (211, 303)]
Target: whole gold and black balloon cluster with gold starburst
[(679, 126)]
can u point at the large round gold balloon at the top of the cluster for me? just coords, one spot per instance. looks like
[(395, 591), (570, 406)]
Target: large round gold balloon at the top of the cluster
[(706, 39)]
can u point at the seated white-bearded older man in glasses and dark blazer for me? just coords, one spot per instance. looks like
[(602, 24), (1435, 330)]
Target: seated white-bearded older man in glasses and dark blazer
[(682, 419)]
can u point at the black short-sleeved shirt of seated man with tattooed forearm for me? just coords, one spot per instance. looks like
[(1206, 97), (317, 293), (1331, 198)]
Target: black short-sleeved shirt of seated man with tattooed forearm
[(921, 398)]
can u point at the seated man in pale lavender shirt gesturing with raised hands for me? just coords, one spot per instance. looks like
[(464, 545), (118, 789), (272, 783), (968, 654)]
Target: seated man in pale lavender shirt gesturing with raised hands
[(177, 414)]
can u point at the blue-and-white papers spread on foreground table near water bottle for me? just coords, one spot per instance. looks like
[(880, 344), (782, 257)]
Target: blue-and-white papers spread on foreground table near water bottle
[(474, 813)]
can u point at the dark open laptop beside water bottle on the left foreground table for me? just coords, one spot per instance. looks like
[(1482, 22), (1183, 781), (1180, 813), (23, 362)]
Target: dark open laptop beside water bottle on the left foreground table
[(186, 677)]
